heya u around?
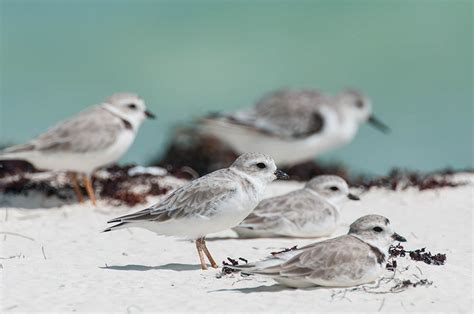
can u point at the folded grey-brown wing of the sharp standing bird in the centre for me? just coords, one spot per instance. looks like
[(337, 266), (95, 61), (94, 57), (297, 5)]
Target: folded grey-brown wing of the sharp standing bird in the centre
[(199, 198)]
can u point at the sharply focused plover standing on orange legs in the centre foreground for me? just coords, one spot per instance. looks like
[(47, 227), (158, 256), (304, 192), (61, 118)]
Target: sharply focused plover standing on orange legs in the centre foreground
[(212, 203)]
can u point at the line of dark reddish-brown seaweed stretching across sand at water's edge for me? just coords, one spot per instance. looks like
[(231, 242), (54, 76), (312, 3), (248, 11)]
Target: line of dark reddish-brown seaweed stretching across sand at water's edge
[(203, 155)]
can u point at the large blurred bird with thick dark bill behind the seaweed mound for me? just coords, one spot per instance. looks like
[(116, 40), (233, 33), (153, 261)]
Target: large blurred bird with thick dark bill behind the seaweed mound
[(294, 126)]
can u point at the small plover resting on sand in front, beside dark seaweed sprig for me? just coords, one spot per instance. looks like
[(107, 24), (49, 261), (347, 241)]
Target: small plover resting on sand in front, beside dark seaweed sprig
[(348, 260)]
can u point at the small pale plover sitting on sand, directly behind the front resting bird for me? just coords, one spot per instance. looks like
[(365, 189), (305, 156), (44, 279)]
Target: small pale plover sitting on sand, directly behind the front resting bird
[(309, 212)]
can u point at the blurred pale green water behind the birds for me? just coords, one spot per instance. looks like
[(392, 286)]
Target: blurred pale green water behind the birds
[(413, 58)]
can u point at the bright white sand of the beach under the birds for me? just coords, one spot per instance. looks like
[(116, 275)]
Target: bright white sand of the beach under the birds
[(63, 263)]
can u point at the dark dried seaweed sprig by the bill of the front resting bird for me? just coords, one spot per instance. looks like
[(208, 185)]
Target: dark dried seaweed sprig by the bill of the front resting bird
[(419, 255)]
